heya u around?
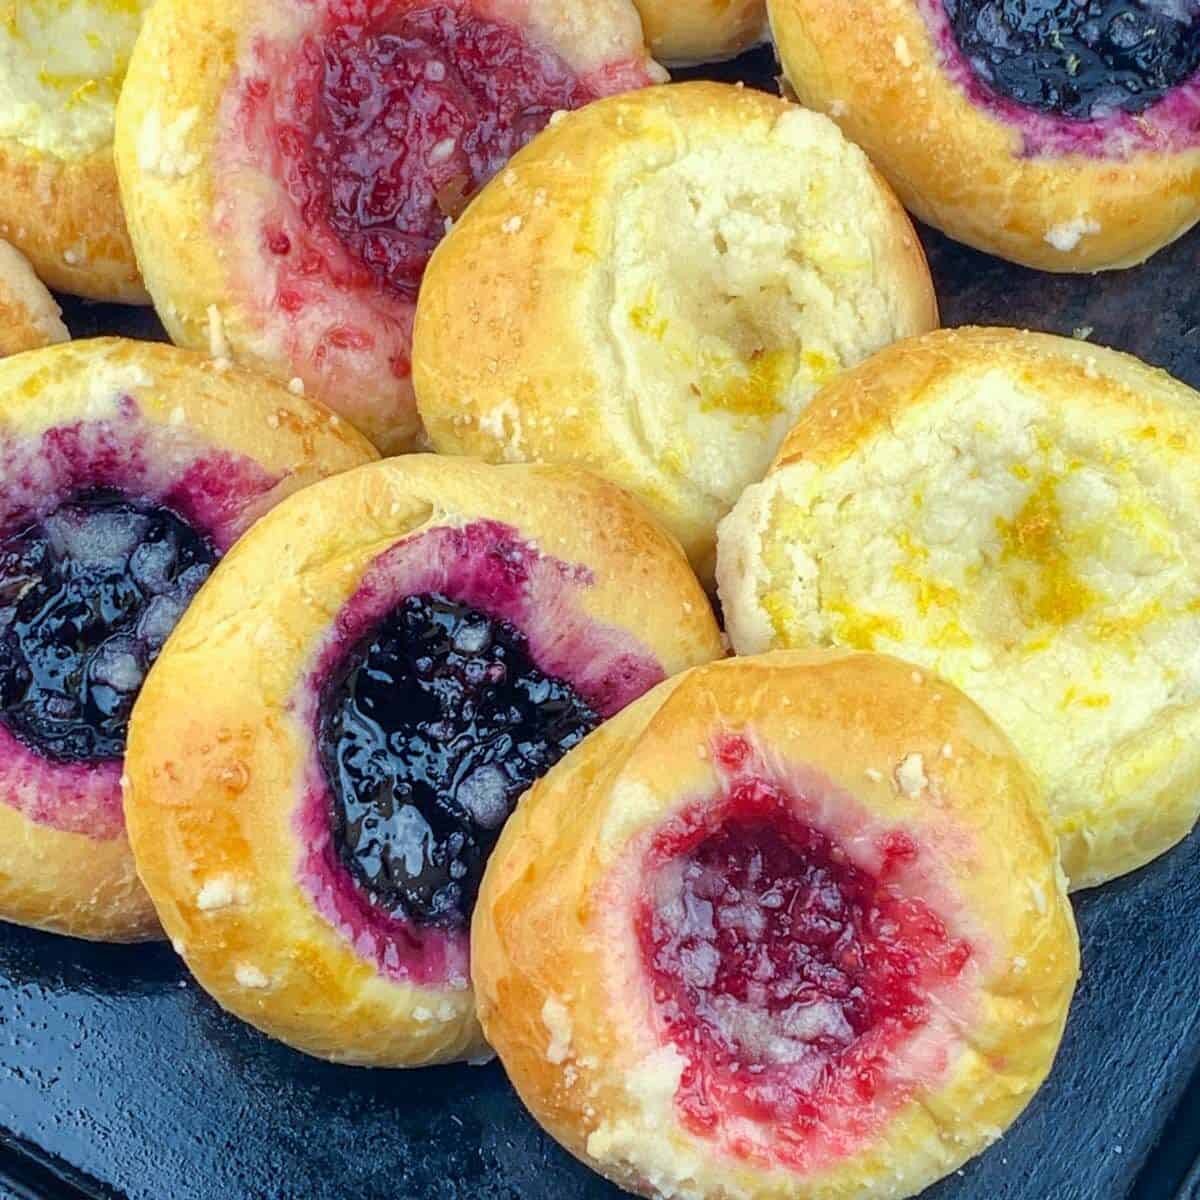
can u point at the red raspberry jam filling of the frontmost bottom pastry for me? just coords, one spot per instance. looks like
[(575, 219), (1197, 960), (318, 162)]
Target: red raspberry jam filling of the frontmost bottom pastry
[(788, 977)]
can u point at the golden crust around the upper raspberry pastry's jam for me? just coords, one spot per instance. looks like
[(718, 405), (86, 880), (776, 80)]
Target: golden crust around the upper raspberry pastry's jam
[(208, 283)]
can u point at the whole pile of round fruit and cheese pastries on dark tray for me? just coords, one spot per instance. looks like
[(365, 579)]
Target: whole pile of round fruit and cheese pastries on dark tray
[(365, 643)]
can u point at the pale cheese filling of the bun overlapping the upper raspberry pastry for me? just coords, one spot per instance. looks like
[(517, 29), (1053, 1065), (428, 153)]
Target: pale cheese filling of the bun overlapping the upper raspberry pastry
[(737, 290)]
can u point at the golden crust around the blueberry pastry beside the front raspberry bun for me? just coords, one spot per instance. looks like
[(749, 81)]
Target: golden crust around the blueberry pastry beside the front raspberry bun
[(215, 785)]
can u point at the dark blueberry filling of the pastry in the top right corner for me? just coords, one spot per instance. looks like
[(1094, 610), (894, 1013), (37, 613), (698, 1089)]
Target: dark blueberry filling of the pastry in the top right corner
[(1081, 59)]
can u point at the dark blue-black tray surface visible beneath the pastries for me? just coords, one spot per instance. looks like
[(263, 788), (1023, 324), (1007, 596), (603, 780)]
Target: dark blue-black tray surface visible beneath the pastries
[(121, 1081)]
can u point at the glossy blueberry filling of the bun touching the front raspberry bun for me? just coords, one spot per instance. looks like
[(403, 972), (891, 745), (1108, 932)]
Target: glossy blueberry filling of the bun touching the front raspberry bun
[(429, 736)]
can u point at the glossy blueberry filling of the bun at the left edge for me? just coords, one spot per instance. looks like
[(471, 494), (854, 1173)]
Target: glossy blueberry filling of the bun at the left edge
[(88, 597)]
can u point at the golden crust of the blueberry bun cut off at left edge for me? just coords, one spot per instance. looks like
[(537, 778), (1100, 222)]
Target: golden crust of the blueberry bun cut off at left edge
[(70, 883)]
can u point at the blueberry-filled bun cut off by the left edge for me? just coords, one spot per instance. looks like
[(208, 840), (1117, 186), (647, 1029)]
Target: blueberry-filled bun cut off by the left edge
[(127, 470)]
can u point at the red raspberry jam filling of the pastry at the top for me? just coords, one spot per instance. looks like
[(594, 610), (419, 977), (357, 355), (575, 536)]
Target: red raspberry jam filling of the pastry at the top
[(416, 112)]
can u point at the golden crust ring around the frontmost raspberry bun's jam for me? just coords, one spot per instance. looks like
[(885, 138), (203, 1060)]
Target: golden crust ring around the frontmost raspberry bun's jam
[(568, 1015)]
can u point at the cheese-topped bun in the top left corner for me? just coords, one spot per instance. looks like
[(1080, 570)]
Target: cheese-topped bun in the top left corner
[(62, 65)]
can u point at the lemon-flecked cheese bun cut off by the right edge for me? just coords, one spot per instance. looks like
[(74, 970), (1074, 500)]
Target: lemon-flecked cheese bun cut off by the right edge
[(1021, 514)]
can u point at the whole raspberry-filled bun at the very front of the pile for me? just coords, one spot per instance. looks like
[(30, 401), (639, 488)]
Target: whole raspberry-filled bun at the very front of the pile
[(788, 927)]
